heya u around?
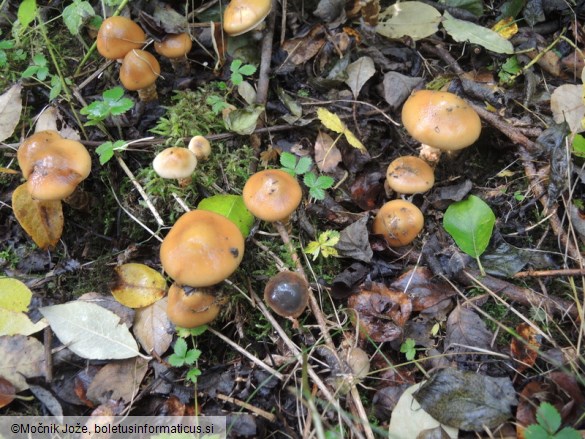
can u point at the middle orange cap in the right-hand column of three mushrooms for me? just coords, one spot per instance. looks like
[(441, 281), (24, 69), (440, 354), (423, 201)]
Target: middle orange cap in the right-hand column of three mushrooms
[(410, 175)]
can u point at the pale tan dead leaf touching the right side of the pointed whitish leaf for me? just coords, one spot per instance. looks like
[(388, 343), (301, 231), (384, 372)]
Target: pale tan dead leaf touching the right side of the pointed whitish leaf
[(153, 329)]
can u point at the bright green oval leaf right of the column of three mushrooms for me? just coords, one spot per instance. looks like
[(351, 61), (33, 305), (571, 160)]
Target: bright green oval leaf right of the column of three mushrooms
[(470, 223)]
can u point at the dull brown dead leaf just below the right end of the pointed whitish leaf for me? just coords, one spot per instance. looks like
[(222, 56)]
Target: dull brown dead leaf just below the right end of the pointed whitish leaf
[(118, 380)]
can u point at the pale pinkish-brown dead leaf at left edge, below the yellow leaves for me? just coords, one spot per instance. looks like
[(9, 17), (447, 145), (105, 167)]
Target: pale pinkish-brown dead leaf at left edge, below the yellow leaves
[(21, 357)]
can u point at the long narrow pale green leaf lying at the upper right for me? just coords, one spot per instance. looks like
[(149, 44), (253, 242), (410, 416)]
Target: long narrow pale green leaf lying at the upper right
[(462, 31)]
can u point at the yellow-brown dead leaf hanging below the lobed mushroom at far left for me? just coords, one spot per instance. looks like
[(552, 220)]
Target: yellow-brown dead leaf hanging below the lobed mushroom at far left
[(41, 220)]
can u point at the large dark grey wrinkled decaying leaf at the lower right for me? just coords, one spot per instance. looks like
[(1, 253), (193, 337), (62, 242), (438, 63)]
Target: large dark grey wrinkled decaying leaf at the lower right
[(466, 400)]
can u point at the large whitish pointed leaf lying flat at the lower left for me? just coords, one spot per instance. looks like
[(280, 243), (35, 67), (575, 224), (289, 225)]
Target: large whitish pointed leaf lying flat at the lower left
[(74, 323)]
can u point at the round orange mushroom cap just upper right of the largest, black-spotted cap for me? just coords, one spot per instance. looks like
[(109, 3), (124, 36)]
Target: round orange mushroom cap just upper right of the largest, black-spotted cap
[(272, 195)]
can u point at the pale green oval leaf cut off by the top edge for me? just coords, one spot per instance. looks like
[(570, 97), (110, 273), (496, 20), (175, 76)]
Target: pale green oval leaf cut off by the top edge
[(414, 19)]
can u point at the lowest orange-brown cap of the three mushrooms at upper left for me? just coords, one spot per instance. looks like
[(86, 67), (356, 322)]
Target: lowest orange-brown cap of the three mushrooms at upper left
[(139, 70)]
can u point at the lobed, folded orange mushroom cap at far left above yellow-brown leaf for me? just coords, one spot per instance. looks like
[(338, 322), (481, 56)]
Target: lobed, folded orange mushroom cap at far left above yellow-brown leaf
[(52, 165)]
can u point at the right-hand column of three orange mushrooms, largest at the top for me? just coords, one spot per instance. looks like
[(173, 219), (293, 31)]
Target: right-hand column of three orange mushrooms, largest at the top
[(441, 121)]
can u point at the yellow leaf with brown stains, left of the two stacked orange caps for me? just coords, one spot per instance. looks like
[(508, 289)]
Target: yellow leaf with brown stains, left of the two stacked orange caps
[(138, 285)]
